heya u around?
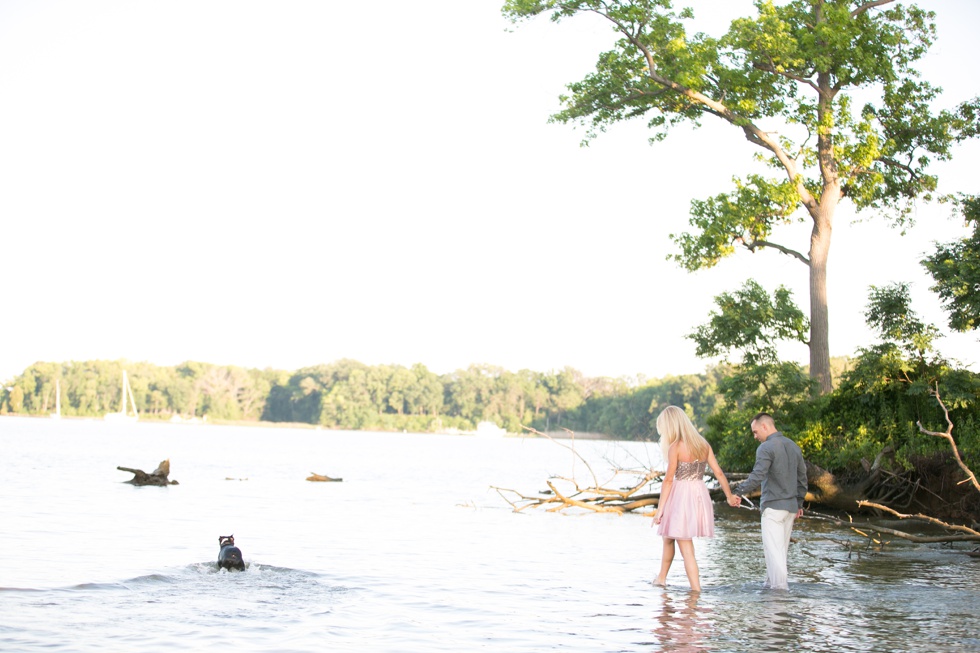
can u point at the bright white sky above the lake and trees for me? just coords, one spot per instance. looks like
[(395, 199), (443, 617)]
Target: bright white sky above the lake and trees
[(284, 184)]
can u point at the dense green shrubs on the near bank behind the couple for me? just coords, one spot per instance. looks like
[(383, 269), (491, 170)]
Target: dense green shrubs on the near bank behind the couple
[(879, 399)]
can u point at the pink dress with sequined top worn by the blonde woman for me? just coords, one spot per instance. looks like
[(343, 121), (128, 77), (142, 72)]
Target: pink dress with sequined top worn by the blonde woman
[(688, 512)]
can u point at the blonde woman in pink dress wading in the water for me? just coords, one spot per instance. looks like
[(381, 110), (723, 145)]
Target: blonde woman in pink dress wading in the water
[(684, 510)]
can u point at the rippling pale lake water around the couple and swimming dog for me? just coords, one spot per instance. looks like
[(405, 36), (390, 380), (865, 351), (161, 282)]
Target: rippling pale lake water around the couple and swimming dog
[(411, 552)]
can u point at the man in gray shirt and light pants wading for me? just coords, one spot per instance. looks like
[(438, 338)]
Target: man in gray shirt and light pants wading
[(780, 470)]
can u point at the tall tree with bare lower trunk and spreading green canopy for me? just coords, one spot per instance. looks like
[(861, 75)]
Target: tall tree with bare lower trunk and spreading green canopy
[(788, 80)]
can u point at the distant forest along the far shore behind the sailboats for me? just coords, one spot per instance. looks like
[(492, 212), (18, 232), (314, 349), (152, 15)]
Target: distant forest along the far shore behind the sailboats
[(350, 395)]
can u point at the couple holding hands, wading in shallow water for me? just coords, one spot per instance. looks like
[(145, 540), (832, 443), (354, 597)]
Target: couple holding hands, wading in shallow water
[(685, 511)]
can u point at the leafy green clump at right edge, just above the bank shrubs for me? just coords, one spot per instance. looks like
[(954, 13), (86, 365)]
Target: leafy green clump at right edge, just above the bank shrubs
[(955, 267)]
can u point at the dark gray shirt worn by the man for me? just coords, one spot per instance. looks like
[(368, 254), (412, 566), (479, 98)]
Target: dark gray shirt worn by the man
[(780, 470)]
